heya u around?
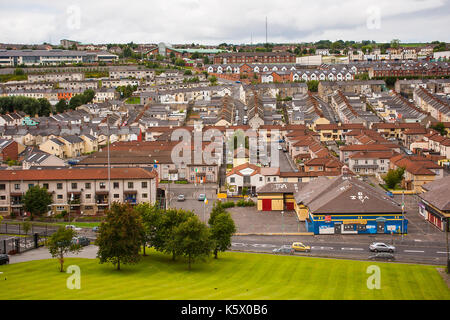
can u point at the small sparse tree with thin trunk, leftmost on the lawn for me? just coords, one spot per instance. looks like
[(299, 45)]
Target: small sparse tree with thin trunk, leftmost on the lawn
[(60, 243)]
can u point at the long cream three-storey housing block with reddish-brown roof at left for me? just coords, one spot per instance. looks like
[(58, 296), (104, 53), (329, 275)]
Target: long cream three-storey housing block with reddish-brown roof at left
[(78, 191)]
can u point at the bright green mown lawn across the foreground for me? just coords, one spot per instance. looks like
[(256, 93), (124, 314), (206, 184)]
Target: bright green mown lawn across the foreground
[(233, 276)]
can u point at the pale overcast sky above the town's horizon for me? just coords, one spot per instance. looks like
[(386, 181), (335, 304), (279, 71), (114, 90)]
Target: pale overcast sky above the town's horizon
[(217, 21)]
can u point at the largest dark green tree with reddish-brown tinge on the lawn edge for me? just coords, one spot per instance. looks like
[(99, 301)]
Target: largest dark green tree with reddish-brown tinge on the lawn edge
[(120, 236)]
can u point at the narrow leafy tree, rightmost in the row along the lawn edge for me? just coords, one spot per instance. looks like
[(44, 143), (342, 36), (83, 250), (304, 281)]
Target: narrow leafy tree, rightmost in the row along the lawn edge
[(222, 229)]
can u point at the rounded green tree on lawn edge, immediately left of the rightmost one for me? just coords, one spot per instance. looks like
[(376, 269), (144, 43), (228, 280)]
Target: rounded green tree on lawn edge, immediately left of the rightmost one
[(192, 239)]
